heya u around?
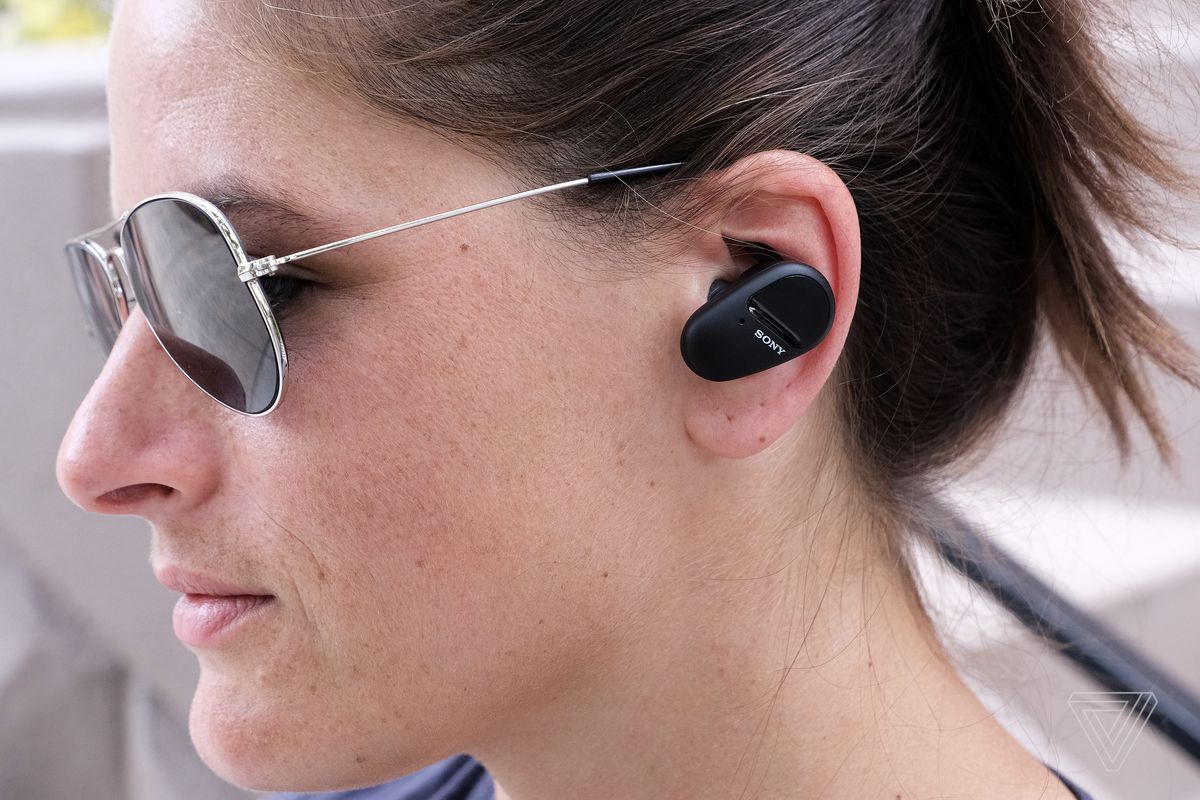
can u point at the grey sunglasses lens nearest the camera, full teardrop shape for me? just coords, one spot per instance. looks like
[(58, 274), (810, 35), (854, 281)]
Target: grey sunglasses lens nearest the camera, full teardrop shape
[(185, 276)]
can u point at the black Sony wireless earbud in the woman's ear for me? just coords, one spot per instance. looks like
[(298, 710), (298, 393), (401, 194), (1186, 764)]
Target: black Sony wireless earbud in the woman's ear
[(777, 311)]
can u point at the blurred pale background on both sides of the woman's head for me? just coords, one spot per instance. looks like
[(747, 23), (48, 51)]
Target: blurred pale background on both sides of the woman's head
[(95, 689)]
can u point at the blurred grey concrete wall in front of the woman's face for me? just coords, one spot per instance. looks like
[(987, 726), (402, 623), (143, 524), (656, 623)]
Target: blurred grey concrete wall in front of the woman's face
[(94, 688)]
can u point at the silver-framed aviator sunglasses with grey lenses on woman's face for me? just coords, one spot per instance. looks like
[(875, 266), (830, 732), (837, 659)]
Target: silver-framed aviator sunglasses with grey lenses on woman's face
[(178, 258)]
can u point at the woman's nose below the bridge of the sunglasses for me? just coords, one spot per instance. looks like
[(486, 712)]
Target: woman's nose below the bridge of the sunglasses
[(145, 441)]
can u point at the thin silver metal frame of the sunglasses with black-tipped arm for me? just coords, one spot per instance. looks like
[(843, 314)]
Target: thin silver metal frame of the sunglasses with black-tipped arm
[(113, 262)]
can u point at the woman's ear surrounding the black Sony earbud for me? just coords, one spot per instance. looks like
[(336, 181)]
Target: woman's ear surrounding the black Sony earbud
[(800, 209)]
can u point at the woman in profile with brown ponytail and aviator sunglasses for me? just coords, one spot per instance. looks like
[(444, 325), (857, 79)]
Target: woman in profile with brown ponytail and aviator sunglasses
[(496, 513)]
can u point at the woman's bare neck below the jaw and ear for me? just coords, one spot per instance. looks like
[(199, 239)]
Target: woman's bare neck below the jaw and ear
[(808, 673)]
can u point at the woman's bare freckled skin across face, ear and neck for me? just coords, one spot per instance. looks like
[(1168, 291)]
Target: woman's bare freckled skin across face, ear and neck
[(454, 503)]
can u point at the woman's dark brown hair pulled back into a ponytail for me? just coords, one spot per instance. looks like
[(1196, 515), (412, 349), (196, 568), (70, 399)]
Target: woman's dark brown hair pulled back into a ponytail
[(979, 139)]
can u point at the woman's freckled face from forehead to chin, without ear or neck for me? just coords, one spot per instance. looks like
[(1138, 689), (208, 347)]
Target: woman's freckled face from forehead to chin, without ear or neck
[(473, 434)]
